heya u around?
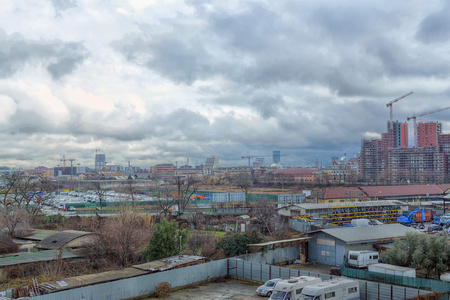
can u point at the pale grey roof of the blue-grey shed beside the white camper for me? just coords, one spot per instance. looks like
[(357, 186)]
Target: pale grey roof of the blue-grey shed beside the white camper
[(368, 233)]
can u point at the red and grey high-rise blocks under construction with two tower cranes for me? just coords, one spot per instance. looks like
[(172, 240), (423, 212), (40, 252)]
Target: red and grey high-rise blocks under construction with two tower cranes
[(390, 160)]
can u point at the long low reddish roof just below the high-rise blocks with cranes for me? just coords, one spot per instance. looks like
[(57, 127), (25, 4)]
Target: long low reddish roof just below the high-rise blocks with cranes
[(401, 190)]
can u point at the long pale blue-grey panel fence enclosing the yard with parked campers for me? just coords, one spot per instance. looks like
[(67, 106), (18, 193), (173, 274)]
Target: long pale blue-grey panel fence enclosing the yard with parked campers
[(143, 285)]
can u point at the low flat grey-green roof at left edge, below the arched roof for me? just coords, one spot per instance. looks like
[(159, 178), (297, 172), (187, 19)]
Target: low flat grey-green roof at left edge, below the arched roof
[(31, 257)]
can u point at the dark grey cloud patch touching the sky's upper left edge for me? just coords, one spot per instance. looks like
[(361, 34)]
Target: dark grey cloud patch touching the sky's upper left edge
[(61, 58)]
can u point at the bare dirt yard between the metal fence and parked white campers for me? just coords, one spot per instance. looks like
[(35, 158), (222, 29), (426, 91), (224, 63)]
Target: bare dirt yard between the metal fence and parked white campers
[(230, 289)]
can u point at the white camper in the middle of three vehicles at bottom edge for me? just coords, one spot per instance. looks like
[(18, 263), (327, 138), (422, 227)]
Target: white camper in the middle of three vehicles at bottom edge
[(291, 289)]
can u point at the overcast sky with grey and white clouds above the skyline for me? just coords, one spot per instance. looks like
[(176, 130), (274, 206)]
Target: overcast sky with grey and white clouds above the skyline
[(159, 81)]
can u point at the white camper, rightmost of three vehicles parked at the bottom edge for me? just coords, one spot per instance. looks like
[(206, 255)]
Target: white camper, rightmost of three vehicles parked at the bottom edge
[(341, 288)]
